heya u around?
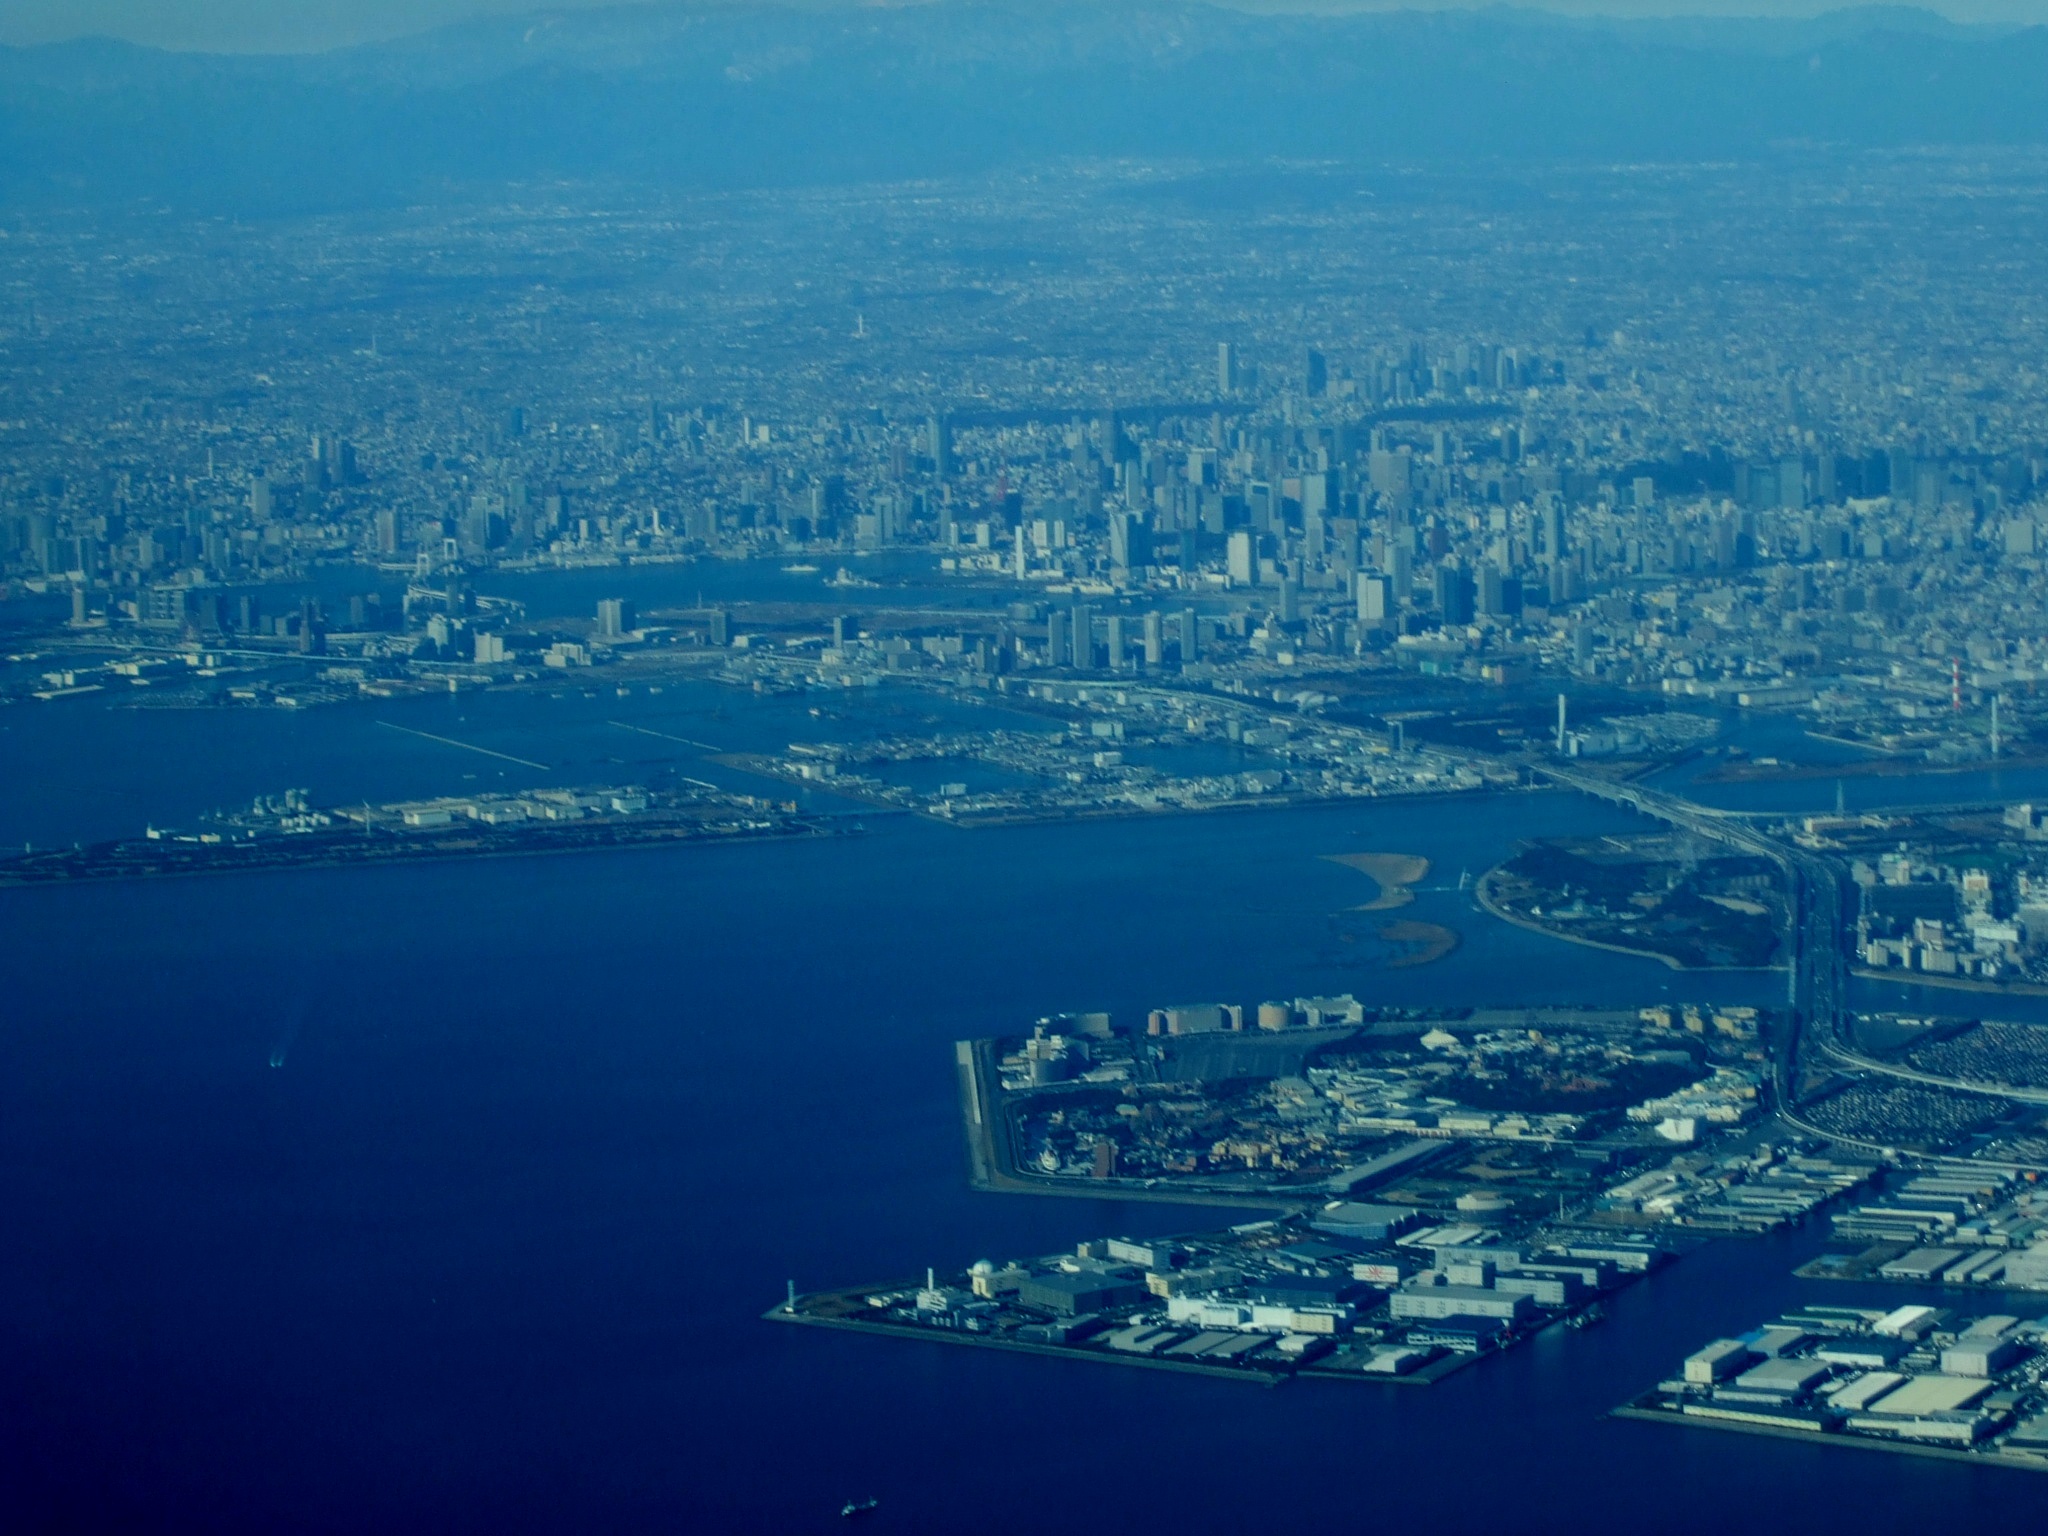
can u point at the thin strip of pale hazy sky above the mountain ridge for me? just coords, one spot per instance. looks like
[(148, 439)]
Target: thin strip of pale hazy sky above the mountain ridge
[(331, 24)]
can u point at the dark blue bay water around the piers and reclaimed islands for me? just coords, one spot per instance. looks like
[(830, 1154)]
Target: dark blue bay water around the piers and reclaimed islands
[(488, 1250)]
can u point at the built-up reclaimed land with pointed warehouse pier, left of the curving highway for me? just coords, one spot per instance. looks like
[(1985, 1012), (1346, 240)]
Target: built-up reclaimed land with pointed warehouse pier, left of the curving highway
[(1443, 1187)]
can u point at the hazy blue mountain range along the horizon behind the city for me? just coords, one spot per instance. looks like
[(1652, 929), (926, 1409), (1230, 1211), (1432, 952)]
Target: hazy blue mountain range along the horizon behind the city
[(767, 95)]
